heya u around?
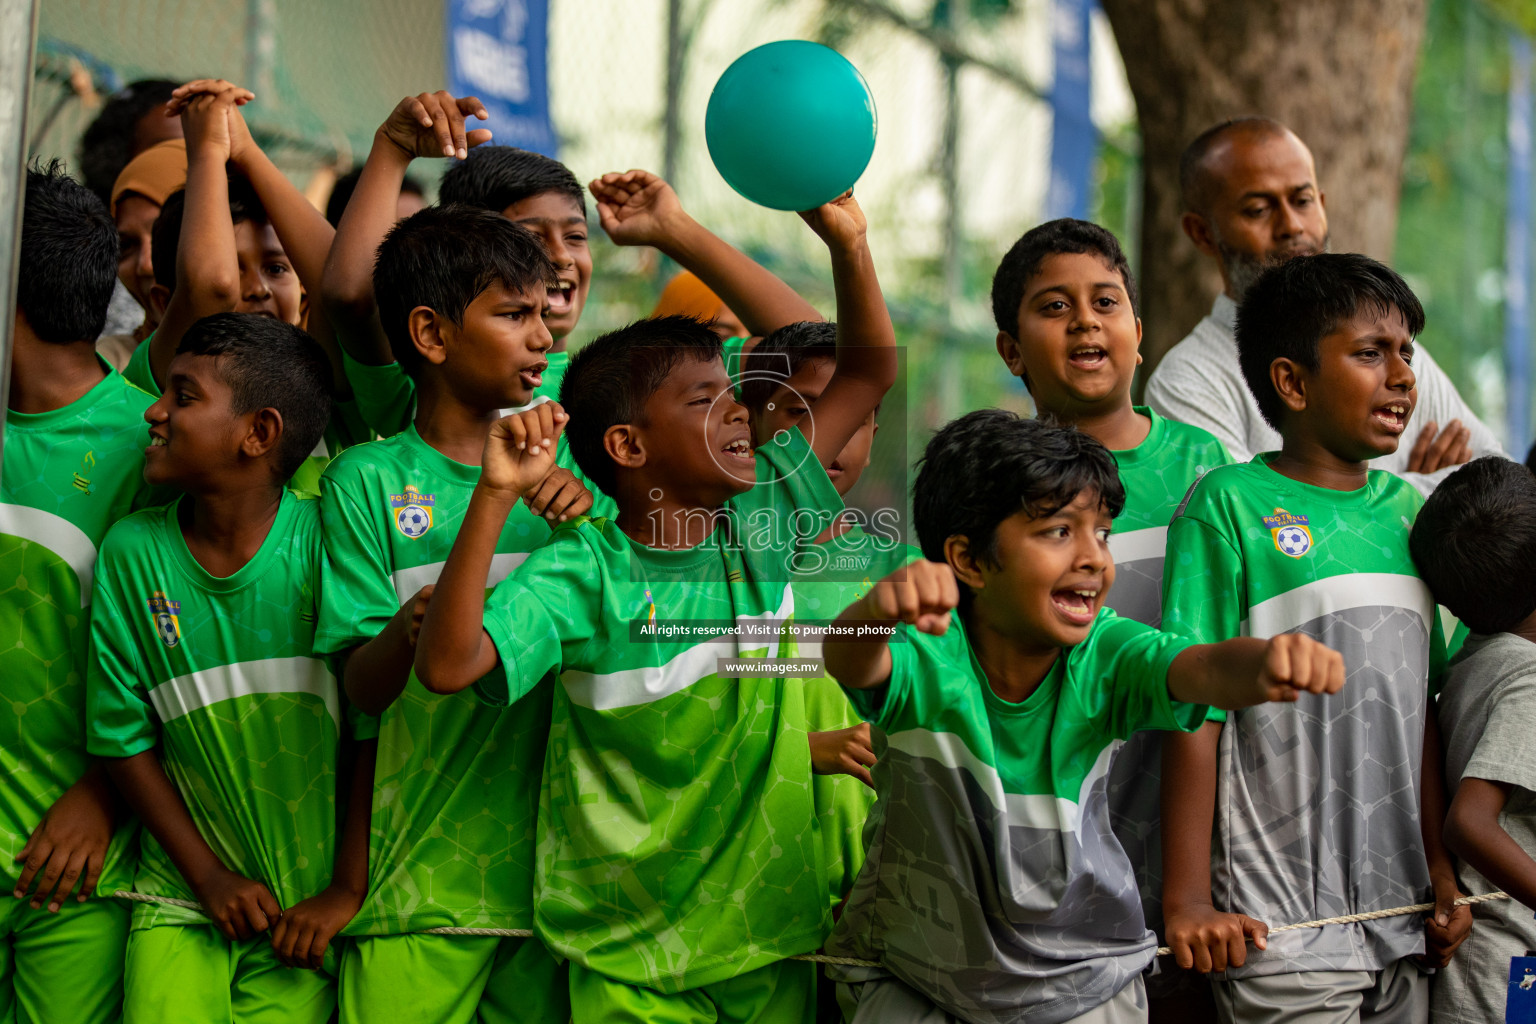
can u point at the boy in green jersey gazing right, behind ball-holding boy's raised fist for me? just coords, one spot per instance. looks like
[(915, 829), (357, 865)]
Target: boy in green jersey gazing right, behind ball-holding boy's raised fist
[(454, 790)]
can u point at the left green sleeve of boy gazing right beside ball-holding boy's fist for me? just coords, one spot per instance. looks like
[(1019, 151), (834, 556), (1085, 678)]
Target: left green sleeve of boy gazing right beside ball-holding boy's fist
[(357, 592)]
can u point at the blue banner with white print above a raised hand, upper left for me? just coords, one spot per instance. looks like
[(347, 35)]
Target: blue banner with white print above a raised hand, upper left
[(498, 51)]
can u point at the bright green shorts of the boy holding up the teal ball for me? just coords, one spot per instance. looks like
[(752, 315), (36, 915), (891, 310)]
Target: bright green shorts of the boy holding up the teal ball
[(783, 993)]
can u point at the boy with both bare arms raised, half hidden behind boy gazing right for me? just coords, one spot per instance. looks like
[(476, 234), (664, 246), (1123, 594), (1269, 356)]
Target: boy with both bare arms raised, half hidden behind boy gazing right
[(537, 193)]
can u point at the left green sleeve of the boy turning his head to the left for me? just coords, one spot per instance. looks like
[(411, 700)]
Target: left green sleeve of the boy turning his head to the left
[(119, 719)]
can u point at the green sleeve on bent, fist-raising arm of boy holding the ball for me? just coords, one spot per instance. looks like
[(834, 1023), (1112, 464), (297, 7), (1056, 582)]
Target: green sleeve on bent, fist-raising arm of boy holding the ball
[(545, 615)]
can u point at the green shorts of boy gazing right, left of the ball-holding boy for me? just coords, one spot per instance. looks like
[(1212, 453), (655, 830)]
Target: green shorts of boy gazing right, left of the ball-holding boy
[(451, 980)]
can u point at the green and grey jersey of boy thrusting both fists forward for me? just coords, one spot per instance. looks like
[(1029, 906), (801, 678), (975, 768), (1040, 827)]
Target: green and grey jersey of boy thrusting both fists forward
[(993, 884)]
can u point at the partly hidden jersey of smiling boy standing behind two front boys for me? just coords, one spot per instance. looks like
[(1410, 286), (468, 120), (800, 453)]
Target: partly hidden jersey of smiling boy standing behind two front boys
[(1157, 475)]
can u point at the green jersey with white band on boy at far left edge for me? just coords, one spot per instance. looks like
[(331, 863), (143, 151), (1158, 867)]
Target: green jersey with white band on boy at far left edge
[(68, 477)]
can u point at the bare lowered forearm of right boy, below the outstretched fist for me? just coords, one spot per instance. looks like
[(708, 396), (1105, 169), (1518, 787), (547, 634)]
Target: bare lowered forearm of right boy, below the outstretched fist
[(1190, 808)]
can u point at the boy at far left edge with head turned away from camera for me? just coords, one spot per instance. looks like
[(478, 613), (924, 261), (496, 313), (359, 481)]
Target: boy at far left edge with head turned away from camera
[(74, 441)]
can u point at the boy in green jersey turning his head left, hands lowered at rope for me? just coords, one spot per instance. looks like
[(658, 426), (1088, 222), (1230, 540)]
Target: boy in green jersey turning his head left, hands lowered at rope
[(217, 722)]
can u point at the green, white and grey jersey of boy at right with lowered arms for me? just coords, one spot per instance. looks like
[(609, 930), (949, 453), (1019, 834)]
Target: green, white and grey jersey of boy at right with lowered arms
[(1317, 801)]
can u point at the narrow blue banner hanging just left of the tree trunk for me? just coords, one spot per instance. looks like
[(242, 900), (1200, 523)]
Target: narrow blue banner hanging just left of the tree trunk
[(1074, 139)]
